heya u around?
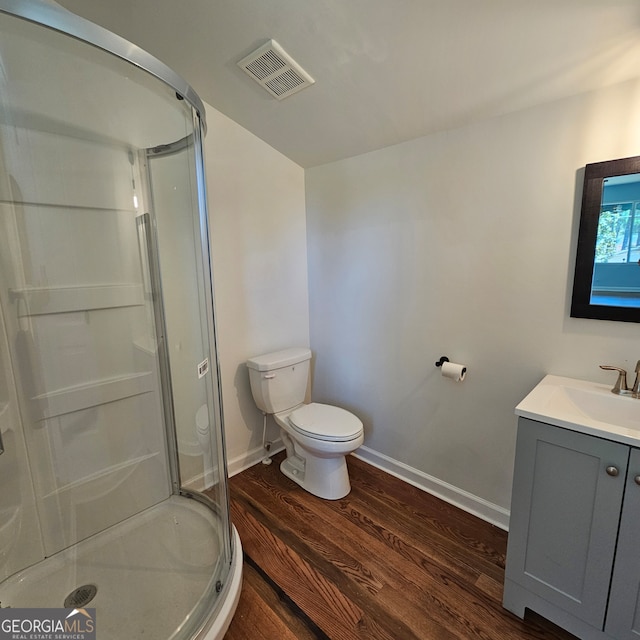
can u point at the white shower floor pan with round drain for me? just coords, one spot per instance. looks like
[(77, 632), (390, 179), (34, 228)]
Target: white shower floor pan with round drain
[(149, 570)]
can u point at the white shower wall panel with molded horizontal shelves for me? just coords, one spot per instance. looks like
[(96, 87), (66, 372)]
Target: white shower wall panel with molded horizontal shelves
[(80, 328)]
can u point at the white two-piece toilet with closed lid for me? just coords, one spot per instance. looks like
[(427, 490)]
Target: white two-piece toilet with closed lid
[(317, 436)]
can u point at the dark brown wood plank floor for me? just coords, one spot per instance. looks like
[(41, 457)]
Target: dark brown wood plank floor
[(388, 561)]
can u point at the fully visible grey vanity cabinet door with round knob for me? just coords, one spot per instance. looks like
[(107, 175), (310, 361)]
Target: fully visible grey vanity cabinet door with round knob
[(564, 517)]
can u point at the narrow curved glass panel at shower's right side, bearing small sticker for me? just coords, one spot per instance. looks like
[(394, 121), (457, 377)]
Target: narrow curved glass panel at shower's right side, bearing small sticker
[(187, 322)]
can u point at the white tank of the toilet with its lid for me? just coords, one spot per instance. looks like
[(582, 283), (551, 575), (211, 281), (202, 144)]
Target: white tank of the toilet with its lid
[(279, 379)]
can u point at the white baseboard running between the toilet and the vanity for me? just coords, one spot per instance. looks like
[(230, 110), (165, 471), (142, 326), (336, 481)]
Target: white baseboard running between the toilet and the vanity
[(466, 501)]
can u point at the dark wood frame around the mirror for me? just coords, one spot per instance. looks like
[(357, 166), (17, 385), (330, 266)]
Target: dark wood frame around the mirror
[(581, 306)]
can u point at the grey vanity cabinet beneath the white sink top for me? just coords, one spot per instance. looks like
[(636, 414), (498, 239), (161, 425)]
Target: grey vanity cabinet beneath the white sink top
[(574, 536)]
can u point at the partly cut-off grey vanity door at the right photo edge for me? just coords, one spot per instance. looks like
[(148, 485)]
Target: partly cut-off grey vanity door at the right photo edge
[(623, 615)]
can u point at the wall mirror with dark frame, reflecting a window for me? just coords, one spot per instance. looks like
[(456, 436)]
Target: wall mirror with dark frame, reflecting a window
[(606, 285)]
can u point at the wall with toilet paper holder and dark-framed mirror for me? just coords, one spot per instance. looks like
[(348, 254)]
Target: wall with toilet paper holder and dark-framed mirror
[(460, 244)]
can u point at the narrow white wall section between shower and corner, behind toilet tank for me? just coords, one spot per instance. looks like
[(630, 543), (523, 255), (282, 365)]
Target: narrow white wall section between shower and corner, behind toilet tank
[(259, 254)]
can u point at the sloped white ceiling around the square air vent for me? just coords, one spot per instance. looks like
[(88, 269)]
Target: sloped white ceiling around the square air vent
[(386, 71)]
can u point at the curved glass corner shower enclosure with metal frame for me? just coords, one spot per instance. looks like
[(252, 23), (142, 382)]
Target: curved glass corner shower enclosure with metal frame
[(113, 488)]
